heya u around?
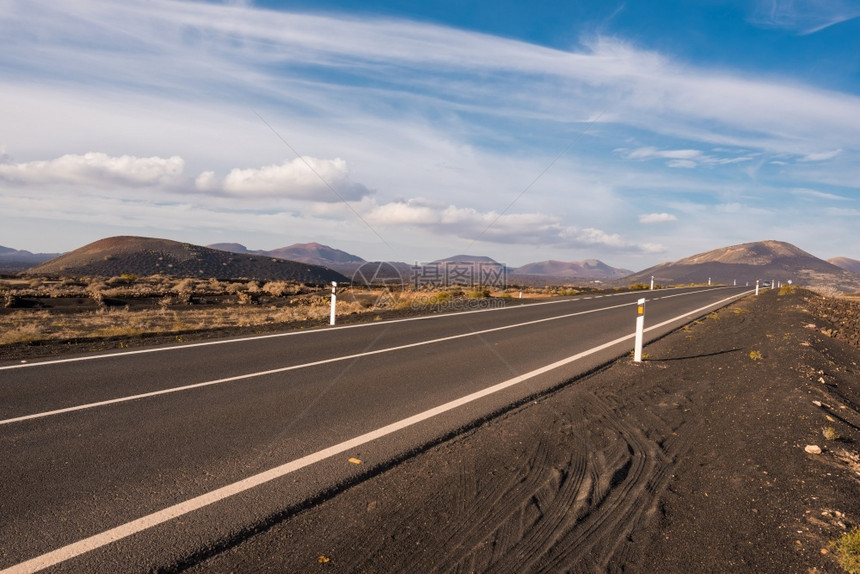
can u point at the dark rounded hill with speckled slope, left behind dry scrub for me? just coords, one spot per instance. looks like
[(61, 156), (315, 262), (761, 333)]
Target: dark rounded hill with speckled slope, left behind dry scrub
[(148, 256)]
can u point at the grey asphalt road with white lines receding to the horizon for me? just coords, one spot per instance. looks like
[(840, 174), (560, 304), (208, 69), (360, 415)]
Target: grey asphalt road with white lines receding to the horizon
[(151, 459)]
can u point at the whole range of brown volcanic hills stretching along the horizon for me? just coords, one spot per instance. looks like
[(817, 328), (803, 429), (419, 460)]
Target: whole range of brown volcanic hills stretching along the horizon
[(317, 263)]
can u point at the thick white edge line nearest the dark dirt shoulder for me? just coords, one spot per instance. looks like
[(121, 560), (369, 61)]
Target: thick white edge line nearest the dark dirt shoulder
[(135, 526)]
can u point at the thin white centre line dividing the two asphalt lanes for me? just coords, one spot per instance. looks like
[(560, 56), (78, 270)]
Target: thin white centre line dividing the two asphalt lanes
[(296, 367)]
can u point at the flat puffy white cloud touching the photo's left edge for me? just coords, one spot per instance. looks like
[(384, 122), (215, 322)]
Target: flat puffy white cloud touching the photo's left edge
[(96, 168)]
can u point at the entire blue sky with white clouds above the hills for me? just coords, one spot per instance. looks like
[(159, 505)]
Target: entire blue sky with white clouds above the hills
[(631, 132)]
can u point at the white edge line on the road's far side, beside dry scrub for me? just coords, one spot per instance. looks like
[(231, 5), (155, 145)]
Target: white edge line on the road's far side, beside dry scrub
[(291, 334)]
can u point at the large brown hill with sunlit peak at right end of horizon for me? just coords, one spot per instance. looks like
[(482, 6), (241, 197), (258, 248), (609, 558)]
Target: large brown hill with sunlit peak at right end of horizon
[(748, 262)]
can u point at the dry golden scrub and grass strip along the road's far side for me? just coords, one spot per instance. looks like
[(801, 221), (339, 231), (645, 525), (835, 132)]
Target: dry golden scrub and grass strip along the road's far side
[(131, 306)]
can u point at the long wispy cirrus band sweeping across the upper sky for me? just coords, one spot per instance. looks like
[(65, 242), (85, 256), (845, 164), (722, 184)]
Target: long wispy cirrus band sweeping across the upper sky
[(308, 61)]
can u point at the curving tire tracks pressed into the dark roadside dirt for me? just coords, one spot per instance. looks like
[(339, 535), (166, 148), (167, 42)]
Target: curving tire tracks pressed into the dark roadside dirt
[(583, 501)]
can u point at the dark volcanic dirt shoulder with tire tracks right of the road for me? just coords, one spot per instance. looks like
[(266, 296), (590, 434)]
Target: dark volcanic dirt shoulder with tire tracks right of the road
[(692, 461)]
